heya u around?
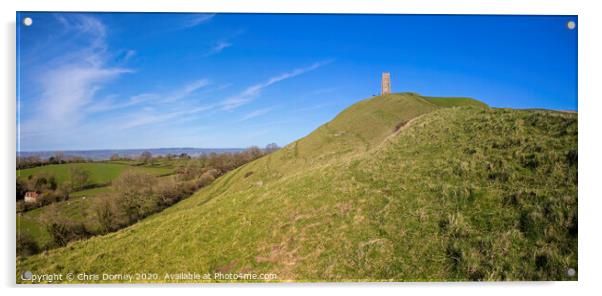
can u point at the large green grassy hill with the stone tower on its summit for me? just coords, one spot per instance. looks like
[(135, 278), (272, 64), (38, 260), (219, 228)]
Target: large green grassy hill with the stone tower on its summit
[(395, 188)]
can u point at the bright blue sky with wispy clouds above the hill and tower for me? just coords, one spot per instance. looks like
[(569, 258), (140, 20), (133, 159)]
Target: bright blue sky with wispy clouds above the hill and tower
[(117, 80)]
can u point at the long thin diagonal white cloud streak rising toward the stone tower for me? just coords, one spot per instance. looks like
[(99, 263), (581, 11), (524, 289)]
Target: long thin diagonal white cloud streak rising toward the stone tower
[(249, 93)]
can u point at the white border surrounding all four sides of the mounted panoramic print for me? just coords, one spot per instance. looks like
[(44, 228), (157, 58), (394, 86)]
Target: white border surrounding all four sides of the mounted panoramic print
[(590, 98)]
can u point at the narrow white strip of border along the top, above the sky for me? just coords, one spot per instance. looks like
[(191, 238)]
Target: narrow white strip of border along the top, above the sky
[(315, 6)]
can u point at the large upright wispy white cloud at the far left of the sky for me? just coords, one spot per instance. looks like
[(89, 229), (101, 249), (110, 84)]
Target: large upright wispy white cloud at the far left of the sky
[(71, 80)]
